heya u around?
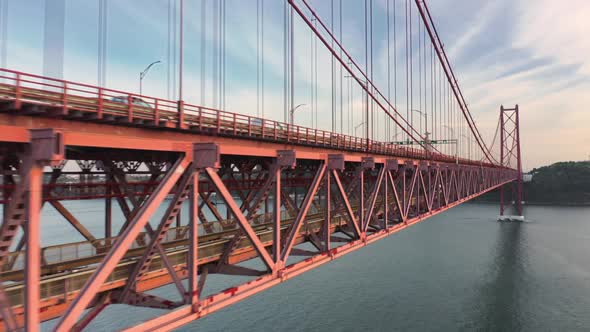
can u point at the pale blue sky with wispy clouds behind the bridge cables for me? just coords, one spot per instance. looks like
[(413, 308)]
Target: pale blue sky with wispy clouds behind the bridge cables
[(531, 53)]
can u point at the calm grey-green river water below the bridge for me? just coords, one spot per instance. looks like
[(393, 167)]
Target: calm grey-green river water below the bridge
[(460, 270)]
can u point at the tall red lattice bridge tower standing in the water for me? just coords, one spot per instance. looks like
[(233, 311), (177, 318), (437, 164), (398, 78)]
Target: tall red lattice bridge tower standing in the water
[(510, 157)]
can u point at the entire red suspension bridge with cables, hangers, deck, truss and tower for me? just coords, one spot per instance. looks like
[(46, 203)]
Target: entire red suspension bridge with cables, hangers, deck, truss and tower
[(253, 188)]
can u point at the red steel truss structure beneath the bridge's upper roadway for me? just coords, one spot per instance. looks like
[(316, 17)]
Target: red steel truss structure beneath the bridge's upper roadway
[(264, 208)]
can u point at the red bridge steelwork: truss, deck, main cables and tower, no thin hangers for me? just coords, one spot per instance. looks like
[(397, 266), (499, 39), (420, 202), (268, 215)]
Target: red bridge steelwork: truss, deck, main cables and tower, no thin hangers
[(246, 201)]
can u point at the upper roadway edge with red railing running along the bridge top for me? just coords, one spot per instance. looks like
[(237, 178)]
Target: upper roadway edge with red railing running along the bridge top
[(92, 102)]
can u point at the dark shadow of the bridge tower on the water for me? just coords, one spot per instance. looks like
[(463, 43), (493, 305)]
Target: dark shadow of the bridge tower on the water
[(498, 301)]
